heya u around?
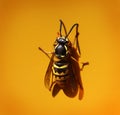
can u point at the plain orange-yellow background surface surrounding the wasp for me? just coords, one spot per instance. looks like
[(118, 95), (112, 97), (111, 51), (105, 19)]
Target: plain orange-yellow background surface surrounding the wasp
[(26, 25)]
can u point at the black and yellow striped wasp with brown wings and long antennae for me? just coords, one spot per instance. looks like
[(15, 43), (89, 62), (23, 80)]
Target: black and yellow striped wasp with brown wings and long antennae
[(63, 72)]
